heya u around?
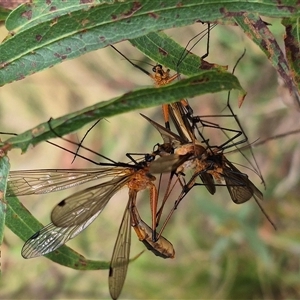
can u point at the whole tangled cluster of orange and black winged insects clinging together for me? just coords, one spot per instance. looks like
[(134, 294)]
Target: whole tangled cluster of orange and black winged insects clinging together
[(178, 153)]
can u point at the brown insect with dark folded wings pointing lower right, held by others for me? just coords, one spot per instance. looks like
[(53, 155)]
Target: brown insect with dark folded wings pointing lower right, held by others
[(213, 168)]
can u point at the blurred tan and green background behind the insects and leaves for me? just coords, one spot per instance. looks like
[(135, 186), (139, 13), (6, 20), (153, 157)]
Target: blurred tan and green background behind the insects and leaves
[(223, 250)]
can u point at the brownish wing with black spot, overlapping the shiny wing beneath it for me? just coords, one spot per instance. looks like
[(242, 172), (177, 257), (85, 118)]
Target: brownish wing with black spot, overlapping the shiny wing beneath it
[(79, 207)]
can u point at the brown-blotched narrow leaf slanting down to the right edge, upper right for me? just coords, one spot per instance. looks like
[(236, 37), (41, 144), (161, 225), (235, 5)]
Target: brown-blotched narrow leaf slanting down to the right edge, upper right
[(258, 31)]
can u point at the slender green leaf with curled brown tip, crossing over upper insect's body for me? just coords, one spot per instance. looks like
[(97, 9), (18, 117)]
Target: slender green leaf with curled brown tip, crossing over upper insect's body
[(206, 82)]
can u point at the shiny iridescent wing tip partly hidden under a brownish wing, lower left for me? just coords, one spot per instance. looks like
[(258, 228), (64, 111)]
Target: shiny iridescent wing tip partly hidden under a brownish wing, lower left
[(51, 237)]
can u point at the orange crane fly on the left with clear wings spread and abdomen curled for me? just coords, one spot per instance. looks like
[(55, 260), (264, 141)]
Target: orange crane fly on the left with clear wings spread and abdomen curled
[(76, 212)]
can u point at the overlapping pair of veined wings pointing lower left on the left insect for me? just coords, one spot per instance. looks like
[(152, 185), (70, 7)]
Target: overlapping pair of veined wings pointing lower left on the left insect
[(80, 211)]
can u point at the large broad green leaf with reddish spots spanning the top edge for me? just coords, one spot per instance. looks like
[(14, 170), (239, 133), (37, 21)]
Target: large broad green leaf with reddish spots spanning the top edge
[(44, 35)]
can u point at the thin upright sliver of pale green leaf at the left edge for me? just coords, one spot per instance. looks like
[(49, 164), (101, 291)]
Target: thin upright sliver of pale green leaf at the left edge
[(4, 170)]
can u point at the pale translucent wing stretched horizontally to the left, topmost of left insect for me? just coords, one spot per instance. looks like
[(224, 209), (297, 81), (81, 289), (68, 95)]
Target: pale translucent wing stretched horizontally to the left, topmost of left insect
[(29, 182)]
